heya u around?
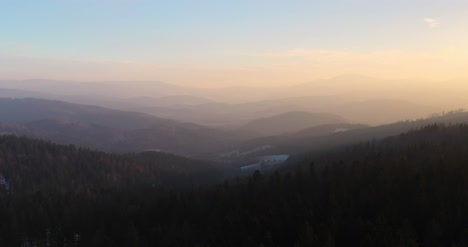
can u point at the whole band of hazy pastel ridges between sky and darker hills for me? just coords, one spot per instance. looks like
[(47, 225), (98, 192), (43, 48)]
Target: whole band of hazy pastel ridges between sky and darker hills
[(355, 98)]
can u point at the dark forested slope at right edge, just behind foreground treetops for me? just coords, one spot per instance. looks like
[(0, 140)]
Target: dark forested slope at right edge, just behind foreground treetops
[(440, 137)]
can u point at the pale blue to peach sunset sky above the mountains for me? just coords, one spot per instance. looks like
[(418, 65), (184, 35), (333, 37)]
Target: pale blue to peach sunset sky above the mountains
[(223, 43)]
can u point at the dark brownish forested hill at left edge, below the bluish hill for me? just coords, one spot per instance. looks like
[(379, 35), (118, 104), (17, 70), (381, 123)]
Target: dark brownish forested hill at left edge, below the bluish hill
[(32, 165)]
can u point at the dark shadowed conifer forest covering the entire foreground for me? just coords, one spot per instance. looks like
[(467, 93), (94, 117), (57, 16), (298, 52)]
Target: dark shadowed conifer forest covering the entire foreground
[(406, 190)]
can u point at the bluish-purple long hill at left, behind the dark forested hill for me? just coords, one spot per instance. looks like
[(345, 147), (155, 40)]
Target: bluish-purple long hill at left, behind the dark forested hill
[(106, 129)]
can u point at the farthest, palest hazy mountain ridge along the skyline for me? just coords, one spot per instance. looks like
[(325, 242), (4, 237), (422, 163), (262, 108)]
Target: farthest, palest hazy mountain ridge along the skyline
[(352, 87)]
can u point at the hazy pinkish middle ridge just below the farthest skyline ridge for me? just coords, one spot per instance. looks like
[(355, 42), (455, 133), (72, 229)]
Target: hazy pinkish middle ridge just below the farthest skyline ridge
[(231, 115)]
